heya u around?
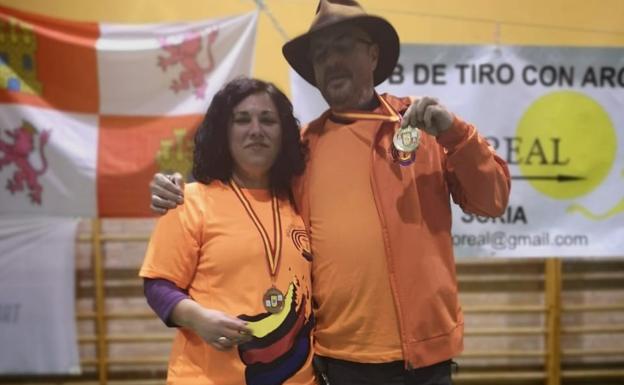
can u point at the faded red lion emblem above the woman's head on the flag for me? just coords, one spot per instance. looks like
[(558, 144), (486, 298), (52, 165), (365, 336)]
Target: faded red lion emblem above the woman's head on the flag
[(187, 55)]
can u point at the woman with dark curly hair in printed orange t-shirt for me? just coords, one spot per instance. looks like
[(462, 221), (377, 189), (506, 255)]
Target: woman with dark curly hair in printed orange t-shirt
[(237, 249)]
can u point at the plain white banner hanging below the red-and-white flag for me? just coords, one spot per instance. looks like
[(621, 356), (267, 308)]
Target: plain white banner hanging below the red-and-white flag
[(37, 299)]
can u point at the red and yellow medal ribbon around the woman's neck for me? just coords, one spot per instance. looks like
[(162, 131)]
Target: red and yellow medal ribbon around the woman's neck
[(273, 250)]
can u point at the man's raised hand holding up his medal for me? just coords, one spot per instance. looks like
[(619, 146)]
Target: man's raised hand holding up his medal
[(429, 115)]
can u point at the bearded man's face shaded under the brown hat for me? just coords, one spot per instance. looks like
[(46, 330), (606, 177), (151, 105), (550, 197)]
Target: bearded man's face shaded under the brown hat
[(344, 58)]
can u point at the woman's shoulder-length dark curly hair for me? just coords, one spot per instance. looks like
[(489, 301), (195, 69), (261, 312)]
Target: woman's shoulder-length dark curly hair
[(211, 156)]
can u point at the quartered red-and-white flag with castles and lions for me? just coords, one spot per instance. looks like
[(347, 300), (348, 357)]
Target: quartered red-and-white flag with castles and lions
[(88, 111)]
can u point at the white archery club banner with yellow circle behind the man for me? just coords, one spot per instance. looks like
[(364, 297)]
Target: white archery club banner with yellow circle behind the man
[(554, 114)]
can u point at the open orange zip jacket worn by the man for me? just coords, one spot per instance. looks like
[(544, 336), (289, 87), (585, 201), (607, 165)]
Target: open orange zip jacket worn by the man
[(414, 209)]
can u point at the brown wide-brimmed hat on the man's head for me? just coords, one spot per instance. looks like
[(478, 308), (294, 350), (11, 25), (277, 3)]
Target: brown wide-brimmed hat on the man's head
[(337, 12)]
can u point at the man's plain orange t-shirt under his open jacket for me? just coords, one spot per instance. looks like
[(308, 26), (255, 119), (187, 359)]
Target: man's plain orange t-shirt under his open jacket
[(356, 315)]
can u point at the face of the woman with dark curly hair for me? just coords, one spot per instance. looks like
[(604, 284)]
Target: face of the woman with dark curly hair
[(255, 135)]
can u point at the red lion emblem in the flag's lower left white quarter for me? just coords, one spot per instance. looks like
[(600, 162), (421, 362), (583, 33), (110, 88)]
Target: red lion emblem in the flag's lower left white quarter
[(18, 153)]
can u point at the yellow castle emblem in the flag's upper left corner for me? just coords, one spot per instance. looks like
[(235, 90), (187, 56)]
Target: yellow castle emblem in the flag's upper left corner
[(18, 44)]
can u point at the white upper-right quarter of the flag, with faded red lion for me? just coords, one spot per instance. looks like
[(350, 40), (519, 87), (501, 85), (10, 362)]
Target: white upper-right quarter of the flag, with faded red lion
[(171, 69)]
